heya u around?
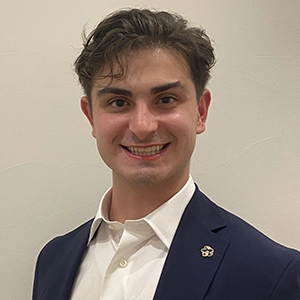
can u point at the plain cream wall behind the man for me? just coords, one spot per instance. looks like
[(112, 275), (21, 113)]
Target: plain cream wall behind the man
[(51, 178)]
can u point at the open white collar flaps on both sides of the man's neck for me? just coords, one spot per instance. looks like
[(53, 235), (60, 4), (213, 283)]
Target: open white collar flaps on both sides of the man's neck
[(164, 220)]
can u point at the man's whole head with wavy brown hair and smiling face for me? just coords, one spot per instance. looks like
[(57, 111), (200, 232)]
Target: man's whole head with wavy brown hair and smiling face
[(144, 75)]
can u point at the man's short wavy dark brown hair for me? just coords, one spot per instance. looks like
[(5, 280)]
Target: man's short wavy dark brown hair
[(127, 32)]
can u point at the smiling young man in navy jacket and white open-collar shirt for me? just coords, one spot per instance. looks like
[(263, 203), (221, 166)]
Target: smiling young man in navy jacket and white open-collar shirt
[(155, 235)]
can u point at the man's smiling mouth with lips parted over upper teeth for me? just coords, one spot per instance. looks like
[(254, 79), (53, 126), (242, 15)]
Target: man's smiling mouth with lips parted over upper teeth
[(145, 151)]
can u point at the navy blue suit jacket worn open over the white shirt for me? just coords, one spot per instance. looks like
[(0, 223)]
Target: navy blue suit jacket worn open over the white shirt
[(246, 264)]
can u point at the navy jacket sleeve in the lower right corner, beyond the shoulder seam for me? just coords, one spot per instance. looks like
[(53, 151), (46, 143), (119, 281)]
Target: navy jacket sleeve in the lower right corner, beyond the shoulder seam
[(288, 286)]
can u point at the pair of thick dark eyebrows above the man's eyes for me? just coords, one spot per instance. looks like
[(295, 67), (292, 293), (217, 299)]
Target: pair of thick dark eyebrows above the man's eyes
[(154, 90)]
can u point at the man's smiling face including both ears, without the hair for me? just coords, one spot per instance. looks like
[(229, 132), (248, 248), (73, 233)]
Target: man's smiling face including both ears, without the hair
[(146, 123)]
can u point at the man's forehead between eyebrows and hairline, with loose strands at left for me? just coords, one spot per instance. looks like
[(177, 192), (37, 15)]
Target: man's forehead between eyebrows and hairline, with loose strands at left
[(146, 67)]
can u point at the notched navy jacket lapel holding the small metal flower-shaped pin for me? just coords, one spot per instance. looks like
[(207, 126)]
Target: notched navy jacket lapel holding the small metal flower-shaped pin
[(186, 272)]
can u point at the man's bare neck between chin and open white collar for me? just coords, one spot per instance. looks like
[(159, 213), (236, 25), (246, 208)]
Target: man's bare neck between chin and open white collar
[(131, 201)]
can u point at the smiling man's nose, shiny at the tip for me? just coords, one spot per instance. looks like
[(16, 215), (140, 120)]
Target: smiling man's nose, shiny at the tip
[(143, 122)]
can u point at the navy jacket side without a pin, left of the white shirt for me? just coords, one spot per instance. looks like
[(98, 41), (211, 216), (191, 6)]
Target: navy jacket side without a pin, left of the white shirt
[(58, 263)]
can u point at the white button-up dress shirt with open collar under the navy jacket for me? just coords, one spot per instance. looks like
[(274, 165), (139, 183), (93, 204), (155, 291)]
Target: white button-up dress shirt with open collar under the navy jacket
[(124, 261)]
